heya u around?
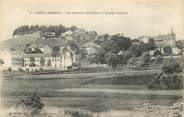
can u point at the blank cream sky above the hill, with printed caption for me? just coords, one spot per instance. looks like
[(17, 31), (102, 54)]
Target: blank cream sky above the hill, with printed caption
[(140, 17)]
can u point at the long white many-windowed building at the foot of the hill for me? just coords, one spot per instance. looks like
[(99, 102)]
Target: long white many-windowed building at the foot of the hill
[(64, 60)]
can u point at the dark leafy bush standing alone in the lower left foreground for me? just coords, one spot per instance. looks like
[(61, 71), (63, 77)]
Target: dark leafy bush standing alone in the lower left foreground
[(32, 103)]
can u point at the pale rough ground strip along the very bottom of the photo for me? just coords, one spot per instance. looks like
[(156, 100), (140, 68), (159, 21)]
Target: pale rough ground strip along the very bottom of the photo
[(145, 110)]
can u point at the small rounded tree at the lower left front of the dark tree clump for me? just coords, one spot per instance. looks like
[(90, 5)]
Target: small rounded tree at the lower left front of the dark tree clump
[(111, 59)]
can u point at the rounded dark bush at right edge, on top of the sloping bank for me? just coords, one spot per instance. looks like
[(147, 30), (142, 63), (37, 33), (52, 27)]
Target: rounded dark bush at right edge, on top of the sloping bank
[(171, 66)]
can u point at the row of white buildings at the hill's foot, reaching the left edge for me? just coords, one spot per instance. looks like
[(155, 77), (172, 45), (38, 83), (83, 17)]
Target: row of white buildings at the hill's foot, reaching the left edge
[(44, 60)]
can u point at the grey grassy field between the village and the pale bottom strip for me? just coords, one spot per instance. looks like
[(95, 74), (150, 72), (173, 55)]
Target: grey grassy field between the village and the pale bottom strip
[(54, 90)]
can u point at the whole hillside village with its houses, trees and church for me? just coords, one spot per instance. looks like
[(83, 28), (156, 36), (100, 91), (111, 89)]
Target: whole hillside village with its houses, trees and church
[(78, 48)]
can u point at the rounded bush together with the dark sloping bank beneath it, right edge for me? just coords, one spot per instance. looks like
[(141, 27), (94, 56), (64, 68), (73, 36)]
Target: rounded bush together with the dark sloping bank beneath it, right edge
[(169, 77)]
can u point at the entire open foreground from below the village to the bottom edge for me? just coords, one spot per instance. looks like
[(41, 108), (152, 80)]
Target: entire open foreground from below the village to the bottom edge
[(105, 94)]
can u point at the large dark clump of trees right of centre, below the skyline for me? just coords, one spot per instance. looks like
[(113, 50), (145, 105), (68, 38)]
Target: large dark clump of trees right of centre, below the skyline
[(120, 49)]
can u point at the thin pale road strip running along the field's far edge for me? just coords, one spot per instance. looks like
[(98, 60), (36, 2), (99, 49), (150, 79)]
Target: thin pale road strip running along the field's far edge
[(84, 75)]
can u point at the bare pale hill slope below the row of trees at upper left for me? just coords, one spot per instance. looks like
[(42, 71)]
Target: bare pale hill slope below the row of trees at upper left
[(20, 41)]
